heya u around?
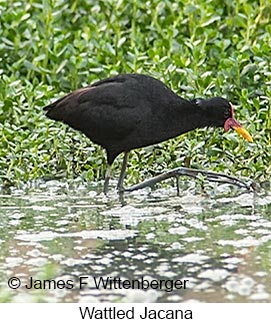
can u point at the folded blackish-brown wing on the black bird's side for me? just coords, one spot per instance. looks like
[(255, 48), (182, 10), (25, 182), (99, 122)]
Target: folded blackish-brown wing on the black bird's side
[(106, 111)]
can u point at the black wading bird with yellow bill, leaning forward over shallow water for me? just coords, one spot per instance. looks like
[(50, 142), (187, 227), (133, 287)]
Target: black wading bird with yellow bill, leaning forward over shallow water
[(130, 111)]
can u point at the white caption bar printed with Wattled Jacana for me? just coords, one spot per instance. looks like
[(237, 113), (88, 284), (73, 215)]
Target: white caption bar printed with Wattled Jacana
[(106, 312)]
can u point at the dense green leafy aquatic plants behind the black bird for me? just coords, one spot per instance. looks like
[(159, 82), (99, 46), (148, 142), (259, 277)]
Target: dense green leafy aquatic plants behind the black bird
[(198, 48)]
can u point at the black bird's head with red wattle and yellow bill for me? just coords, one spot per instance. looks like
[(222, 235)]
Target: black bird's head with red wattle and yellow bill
[(222, 112)]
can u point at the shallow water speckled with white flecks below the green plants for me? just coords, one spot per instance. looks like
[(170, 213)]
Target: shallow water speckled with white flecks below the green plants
[(219, 240)]
